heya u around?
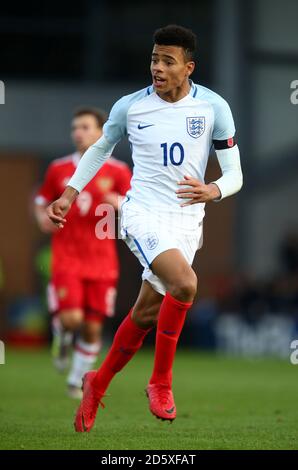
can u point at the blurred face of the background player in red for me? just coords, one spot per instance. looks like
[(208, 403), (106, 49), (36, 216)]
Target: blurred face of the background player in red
[(85, 131)]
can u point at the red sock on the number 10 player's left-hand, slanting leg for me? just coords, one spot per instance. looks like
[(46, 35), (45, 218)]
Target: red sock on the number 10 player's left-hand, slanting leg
[(127, 341)]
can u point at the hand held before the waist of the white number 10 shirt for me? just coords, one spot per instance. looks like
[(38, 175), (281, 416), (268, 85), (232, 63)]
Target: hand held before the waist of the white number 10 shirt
[(196, 191)]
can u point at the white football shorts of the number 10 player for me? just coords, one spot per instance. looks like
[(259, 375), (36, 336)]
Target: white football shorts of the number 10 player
[(148, 234)]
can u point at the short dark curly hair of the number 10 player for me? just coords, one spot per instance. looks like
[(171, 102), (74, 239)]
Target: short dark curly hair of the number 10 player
[(175, 35)]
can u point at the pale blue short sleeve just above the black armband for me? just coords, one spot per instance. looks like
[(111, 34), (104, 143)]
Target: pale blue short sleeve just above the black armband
[(224, 127)]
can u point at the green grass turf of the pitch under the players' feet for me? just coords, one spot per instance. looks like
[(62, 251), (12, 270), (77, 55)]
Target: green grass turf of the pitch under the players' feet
[(223, 403)]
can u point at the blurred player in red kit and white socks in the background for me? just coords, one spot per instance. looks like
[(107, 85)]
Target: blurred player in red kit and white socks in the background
[(84, 268)]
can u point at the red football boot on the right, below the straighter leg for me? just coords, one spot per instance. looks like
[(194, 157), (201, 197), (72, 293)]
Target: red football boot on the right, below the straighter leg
[(161, 401)]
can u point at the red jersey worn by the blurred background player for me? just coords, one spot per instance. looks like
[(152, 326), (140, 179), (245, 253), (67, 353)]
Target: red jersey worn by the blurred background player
[(75, 247)]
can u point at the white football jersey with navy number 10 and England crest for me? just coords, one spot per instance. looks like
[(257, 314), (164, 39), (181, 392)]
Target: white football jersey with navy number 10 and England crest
[(168, 141)]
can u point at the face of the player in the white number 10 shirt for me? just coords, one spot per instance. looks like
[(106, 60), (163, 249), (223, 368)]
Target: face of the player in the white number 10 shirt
[(170, 69)]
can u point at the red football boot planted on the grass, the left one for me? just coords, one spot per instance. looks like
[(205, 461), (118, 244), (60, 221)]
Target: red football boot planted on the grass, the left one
[(87, 410)]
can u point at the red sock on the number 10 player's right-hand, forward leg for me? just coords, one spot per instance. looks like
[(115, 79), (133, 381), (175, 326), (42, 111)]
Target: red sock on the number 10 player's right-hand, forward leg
[(171, 319)]
